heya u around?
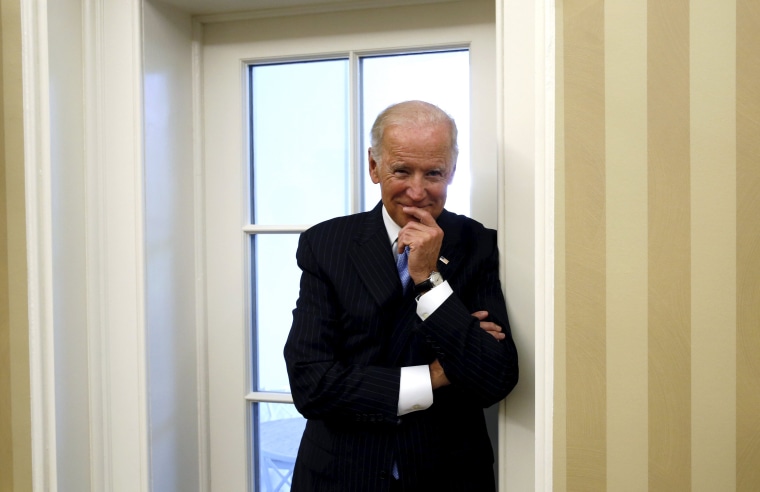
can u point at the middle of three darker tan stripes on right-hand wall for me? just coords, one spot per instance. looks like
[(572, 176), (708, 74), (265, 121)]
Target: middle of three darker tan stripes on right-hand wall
[(669, 246)]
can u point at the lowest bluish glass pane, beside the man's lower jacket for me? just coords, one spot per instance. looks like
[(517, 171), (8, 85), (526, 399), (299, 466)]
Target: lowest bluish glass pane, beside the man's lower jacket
[(279, 431)]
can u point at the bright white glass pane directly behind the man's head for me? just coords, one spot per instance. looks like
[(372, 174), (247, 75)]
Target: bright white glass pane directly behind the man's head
[(440, 78)]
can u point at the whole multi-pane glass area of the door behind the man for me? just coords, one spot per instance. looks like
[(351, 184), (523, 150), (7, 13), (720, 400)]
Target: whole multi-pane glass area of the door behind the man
[(308, 144)]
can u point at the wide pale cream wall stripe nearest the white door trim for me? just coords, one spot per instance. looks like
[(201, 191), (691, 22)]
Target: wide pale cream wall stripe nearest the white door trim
[(626, 203)]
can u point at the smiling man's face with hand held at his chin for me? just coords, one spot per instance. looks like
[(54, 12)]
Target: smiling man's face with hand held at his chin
[(416, 169)]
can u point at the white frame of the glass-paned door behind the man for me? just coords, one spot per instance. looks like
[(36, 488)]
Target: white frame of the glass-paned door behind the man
[(226, 57)]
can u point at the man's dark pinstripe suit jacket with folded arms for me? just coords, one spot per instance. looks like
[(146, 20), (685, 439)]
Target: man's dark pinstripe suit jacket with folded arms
[(353, 330)]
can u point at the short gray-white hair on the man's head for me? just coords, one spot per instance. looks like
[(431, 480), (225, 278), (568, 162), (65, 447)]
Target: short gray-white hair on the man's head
[(411, 113)]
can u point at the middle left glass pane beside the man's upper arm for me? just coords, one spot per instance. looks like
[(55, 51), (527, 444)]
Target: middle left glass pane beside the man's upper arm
[(277, 280)]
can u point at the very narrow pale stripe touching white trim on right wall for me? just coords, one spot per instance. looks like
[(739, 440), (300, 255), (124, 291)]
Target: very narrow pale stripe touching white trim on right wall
[(559, 471)]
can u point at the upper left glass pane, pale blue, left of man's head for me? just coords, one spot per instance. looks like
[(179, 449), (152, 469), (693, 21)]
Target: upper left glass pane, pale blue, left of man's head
[(299, 120)]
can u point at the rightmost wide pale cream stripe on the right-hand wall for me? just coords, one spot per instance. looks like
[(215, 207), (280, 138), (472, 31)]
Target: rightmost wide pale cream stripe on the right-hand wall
[(713, 259)]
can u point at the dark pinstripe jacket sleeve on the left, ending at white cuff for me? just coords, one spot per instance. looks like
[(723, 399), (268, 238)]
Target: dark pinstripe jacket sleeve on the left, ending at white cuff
[(329, 378)]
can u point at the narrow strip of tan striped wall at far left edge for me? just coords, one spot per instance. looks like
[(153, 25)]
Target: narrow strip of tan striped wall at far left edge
[(15, 412)]
